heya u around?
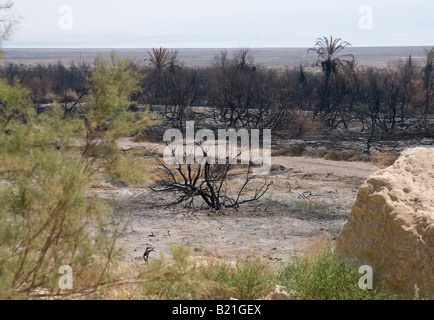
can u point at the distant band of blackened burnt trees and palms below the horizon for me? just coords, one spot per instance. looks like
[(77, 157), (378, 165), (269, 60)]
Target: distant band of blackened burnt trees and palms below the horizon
[(235, 92)]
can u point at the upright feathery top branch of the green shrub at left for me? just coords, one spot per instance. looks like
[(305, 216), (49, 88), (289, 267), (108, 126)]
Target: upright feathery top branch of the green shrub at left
[(108, 116)]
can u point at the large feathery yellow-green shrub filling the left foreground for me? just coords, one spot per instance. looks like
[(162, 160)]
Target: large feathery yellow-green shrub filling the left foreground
[(48, 217)]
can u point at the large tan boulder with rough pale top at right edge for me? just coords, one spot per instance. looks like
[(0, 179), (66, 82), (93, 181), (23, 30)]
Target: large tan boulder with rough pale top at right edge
[(391, 225)]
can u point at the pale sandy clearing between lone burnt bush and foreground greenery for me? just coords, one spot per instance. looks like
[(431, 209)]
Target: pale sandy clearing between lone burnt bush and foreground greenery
[(308, 196)]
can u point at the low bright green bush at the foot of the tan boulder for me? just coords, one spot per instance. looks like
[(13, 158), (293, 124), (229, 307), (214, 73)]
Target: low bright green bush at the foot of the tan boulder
[(324, 276)]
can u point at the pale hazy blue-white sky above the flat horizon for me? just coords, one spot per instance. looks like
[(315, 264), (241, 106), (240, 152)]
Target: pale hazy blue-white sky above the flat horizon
[(220, 23)]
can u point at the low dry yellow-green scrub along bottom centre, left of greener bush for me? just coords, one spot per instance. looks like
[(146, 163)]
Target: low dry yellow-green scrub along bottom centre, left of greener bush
[(182, 278)]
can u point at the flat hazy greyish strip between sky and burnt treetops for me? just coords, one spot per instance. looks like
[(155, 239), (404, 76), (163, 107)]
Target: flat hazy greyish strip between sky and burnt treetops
[(270, 57)]
